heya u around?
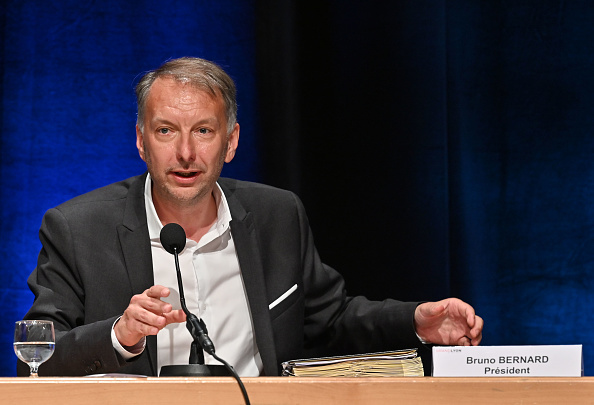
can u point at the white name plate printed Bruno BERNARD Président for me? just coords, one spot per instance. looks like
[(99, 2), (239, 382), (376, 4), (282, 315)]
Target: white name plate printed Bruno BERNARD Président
[(508, 361)]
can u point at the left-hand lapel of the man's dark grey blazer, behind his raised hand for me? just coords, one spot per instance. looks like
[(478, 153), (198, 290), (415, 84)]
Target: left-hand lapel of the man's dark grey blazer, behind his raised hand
[(136, 248)]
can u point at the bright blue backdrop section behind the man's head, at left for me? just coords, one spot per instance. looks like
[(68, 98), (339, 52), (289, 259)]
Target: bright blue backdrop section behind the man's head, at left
[(68, 108)]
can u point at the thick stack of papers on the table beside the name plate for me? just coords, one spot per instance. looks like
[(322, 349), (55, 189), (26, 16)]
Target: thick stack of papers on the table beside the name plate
[(403, 363)]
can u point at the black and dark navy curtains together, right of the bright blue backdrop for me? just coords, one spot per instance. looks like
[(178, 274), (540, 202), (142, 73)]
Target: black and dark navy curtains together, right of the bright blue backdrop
[(442, 148)]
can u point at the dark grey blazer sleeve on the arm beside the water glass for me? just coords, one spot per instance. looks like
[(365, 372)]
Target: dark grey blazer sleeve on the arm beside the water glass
[(60, 297)]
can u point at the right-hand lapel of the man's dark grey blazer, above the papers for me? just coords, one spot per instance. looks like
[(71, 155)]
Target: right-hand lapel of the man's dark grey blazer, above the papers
[(248, 253)]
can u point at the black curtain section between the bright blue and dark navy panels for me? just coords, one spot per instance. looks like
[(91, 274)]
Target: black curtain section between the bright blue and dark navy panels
[(365, 144)]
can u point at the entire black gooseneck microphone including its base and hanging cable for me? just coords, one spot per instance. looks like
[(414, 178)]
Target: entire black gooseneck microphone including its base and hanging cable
[(201, 342)]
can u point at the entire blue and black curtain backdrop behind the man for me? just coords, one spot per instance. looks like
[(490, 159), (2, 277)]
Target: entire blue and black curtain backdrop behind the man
[(442, 148)]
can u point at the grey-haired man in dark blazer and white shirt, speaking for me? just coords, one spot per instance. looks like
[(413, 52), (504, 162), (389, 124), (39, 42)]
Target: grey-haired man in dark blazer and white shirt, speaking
[(250, 268)]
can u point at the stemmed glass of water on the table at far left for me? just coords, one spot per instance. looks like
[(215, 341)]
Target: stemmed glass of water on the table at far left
[(34, 342)]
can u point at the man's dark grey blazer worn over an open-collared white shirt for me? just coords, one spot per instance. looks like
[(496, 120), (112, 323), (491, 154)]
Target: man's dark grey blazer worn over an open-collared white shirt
[(96, 255)]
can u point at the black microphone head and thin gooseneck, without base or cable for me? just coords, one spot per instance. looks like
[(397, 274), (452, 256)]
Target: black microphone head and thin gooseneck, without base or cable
[(173, 239)]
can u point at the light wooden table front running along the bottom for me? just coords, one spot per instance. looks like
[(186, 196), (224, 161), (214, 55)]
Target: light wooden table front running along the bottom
[(297, 390)]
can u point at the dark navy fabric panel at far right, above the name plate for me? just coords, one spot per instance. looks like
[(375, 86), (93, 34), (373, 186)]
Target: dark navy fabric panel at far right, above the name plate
[(520, 114)]
